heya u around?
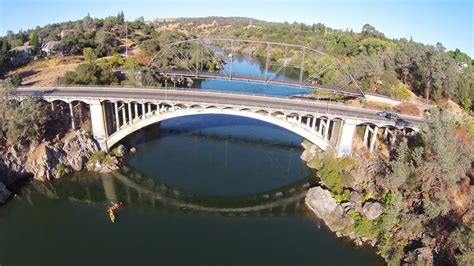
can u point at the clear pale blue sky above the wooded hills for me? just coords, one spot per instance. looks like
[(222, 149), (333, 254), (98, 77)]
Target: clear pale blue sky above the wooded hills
[(427, 21)]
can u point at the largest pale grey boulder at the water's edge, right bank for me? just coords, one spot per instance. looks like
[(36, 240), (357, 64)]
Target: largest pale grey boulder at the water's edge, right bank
[(321, 202)]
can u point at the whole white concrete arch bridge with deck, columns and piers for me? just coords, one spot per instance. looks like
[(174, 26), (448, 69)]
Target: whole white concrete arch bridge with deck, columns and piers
[(118, 112)]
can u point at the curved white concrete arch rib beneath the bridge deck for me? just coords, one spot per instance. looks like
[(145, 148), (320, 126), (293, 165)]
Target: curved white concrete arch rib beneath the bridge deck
[(127, 130)]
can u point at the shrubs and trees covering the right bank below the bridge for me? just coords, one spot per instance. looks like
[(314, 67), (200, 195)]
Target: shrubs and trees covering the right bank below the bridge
[(424, 188)]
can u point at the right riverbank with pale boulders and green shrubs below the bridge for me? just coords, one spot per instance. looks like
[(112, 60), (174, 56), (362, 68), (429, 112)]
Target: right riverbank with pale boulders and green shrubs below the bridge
[(355, 208)]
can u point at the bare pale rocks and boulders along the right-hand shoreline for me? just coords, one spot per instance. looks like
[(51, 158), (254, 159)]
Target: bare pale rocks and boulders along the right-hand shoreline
[(347, 215)]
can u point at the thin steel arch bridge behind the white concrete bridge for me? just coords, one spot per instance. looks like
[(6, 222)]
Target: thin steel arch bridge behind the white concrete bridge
[(191, 58)]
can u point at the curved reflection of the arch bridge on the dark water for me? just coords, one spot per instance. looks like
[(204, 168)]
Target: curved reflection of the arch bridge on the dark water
[(141, 191)]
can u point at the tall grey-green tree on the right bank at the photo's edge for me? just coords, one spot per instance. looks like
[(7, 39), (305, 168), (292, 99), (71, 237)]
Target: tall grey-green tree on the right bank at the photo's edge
[(444, 162)]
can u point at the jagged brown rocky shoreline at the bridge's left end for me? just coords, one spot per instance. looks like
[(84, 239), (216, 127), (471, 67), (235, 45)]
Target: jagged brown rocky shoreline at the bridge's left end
[(49, 160)]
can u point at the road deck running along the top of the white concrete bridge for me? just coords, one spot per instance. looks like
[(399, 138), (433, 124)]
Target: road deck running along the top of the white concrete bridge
[(207, 97)]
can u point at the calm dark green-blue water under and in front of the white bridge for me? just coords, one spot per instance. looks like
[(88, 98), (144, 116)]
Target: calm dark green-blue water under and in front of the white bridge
[(202, 190)]
